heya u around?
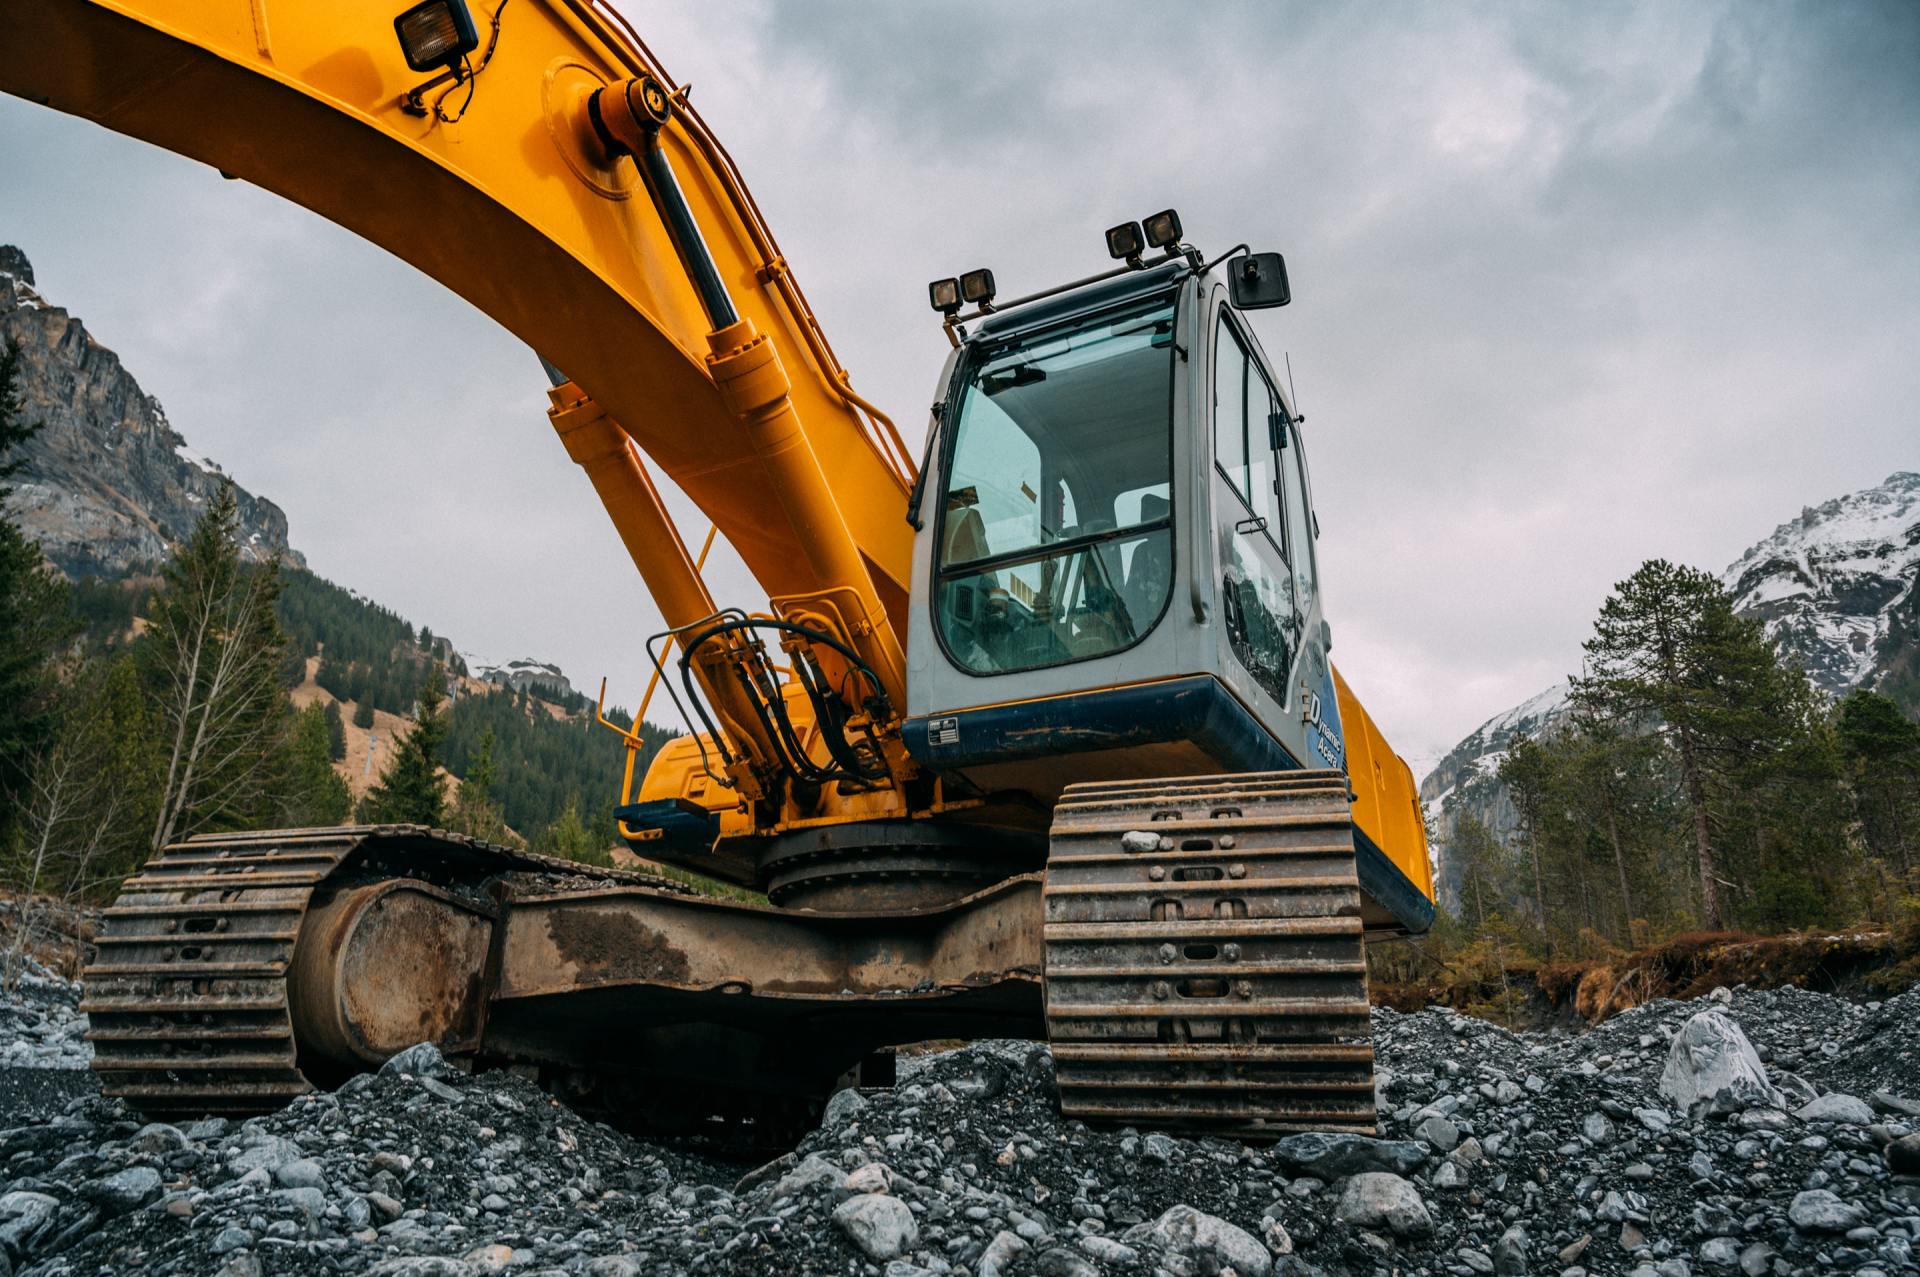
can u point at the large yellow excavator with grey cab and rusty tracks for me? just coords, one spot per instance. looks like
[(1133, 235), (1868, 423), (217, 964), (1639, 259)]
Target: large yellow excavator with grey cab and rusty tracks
[(1034, 735)]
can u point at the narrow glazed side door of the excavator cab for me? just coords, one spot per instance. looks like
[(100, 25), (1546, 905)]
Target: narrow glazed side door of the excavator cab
[(1262, 610)]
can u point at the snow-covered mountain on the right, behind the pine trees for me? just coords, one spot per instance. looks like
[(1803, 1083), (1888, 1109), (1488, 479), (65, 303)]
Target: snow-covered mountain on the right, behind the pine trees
[(1836, 589)]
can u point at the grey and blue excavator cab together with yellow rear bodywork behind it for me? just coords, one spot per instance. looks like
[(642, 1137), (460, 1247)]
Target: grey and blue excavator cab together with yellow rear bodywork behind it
[(1116, 575)]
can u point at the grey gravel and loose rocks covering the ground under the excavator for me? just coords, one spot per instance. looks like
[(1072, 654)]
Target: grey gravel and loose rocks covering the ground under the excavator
[(1742, 1134)]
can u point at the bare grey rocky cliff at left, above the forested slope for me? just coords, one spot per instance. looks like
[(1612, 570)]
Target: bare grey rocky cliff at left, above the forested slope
[(110, 483)]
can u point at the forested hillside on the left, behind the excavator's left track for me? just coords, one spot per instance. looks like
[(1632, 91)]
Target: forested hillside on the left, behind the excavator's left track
[(218, 690)]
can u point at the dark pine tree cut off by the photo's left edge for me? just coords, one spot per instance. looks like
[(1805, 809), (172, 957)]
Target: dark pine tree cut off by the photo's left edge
[(36, 621)]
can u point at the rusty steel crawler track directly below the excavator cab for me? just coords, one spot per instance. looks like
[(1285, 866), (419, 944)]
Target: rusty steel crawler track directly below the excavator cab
[(1216, 980)]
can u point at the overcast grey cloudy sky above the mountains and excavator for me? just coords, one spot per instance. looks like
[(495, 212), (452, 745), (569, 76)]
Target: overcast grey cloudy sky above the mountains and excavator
[(1573, 287)]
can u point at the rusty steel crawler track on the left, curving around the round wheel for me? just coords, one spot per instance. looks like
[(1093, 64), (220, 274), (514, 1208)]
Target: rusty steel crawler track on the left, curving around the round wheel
[(187, 996)]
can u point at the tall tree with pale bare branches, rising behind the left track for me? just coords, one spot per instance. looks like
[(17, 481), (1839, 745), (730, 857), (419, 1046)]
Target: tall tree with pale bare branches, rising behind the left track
[(214, 654)]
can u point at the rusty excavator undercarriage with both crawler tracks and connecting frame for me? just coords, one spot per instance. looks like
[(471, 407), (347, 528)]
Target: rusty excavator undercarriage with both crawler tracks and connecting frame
[(1193, 952)]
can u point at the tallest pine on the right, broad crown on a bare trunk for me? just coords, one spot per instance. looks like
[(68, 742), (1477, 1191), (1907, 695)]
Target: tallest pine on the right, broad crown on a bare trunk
[(1669, 650)]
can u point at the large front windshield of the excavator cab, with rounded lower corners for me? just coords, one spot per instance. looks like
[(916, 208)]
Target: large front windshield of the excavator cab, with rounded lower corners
[(1057, 535)]
